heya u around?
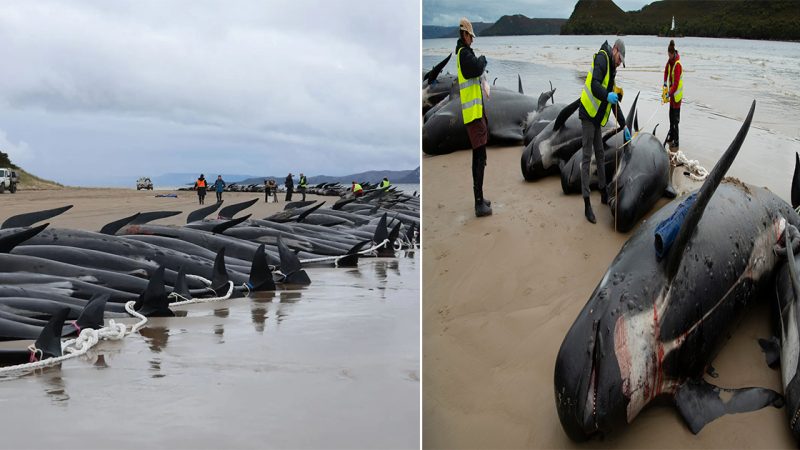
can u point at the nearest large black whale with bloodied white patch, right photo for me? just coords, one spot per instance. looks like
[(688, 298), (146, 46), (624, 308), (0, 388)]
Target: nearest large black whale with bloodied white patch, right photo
[(651, 326)]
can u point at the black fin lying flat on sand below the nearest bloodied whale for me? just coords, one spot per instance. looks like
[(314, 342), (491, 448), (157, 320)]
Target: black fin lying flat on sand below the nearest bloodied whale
[(700, 402)]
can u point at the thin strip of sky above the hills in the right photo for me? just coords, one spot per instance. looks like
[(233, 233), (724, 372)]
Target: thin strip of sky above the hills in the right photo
[(447, 12)]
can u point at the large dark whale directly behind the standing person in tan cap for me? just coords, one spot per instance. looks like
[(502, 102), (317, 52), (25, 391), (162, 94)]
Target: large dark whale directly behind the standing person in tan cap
[(506, 112)]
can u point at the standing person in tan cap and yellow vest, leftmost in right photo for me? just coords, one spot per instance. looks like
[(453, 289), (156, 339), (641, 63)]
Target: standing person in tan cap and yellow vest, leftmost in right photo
[(470, 68)]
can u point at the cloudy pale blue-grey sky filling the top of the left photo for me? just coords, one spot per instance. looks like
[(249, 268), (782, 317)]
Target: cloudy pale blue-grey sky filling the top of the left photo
[(97, 91)]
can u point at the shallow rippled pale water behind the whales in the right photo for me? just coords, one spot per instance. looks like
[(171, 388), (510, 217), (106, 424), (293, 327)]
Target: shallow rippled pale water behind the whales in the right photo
[(721, 79)]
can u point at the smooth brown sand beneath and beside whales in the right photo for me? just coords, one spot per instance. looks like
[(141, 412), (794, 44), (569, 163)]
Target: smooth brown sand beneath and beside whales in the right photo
[(499, 295)]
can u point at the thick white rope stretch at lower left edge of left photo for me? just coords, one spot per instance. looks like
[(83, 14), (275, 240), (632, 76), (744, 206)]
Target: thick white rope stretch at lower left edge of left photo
[(87, 339)]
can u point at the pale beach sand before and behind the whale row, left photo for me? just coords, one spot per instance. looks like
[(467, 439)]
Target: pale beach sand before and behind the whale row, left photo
[(333, 365)]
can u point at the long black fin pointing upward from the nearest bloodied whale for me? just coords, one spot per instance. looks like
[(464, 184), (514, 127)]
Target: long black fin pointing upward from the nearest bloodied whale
[(704, 196)]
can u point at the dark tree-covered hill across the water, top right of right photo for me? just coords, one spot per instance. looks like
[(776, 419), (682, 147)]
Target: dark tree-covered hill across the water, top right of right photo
[(747, 19)]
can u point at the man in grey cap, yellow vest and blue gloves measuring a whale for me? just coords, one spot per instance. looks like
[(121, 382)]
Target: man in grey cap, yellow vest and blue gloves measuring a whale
[(598, 99)]
